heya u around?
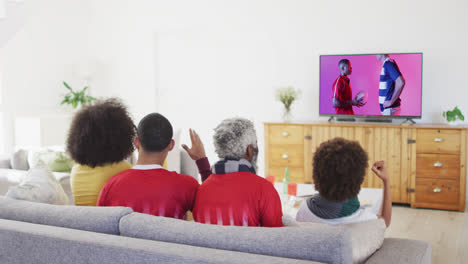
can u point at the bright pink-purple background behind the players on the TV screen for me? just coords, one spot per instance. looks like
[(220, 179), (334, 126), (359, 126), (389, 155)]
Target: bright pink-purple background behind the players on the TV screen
[(366, 76)]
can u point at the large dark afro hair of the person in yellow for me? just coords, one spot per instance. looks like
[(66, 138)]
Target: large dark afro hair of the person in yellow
[(101, 133)]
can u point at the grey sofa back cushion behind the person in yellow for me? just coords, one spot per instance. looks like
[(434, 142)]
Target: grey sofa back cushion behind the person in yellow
[(96, 219)]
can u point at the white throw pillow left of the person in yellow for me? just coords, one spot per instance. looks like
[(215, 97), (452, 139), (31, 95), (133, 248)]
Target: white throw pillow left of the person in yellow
[(39, 185)]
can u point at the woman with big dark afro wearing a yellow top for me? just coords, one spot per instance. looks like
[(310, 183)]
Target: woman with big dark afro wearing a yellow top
[(99, 140)]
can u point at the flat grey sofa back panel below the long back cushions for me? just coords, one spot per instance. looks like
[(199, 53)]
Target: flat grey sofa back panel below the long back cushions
[(22, 242)]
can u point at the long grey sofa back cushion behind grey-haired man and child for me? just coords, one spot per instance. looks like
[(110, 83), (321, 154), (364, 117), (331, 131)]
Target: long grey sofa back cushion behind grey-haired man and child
[(317, 242)]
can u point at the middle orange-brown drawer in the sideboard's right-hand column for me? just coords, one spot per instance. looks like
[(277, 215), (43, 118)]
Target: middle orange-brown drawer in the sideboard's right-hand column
[(438, 166)]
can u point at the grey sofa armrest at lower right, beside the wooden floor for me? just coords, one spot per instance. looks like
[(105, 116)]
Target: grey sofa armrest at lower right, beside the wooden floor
[(398, 250)]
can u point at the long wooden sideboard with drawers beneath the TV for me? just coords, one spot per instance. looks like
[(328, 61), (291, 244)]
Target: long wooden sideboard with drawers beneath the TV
[(427, 163)]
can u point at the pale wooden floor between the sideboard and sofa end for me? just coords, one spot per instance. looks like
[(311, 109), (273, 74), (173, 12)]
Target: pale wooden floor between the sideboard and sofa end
[(446, 231)]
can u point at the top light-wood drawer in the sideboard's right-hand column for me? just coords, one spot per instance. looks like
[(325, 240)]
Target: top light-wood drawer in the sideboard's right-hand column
[(438, 141)]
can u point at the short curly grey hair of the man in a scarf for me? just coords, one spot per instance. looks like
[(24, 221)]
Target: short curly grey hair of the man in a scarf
[(233, 136)]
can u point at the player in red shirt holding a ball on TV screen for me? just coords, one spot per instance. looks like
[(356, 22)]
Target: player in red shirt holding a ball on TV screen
[(342, 93)]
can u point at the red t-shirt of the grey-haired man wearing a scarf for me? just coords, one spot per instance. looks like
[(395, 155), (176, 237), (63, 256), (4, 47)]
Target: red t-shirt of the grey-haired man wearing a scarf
[(240, 199)]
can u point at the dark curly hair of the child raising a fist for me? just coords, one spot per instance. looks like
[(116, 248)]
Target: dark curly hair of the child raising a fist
[(339, 169)]
